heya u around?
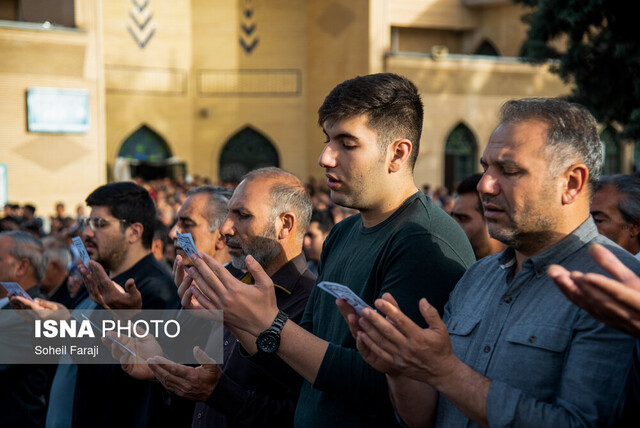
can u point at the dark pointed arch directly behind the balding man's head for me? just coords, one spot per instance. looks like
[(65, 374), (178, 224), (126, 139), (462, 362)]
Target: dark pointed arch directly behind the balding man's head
[(246, 150)]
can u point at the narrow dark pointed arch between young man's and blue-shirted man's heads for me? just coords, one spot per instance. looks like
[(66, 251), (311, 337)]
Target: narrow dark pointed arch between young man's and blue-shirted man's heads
[(460, 156)]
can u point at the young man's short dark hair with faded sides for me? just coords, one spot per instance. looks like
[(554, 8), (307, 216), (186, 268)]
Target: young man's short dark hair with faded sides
[(391, 101)]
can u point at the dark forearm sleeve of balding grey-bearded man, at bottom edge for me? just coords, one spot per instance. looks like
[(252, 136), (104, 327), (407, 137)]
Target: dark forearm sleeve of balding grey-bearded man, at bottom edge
[(245, 407)]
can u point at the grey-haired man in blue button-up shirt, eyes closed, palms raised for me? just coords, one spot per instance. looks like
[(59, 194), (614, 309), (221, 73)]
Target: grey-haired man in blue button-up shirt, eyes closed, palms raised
[(510, 350)]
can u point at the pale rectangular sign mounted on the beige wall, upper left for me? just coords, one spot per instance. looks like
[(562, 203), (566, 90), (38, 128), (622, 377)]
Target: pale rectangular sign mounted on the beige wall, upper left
[(58, 110)]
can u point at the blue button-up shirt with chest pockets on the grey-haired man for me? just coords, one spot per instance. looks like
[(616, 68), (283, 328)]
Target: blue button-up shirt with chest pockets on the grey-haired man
[(551, 363)]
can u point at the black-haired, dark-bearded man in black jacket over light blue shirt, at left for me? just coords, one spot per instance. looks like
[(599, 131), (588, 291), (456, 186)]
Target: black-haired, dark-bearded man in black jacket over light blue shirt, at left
[(118, 236)]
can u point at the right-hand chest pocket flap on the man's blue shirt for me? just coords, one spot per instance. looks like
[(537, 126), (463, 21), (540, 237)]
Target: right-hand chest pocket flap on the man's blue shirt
[(549, 338)]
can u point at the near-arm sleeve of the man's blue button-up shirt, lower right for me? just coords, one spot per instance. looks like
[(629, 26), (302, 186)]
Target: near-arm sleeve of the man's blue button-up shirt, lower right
[(592, 390)]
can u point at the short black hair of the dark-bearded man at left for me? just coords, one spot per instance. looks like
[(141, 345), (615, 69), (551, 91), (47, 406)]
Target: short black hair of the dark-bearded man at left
[(130, 202)]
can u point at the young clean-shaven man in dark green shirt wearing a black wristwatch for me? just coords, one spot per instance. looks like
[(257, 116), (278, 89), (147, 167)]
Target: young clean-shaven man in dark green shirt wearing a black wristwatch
[(400, 242)]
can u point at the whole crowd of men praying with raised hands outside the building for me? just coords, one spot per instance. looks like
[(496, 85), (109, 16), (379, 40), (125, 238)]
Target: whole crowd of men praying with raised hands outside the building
[(513, 300)]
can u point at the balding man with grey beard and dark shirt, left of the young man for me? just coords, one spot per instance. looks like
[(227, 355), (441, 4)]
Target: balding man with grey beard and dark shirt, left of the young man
[(268, 216)]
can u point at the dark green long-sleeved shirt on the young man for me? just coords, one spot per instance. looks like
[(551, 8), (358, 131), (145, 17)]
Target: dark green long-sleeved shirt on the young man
[(419, 251)]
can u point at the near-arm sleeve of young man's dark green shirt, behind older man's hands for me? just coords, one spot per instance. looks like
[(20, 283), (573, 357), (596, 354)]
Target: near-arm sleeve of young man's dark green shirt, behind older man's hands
[(418, 265)]
